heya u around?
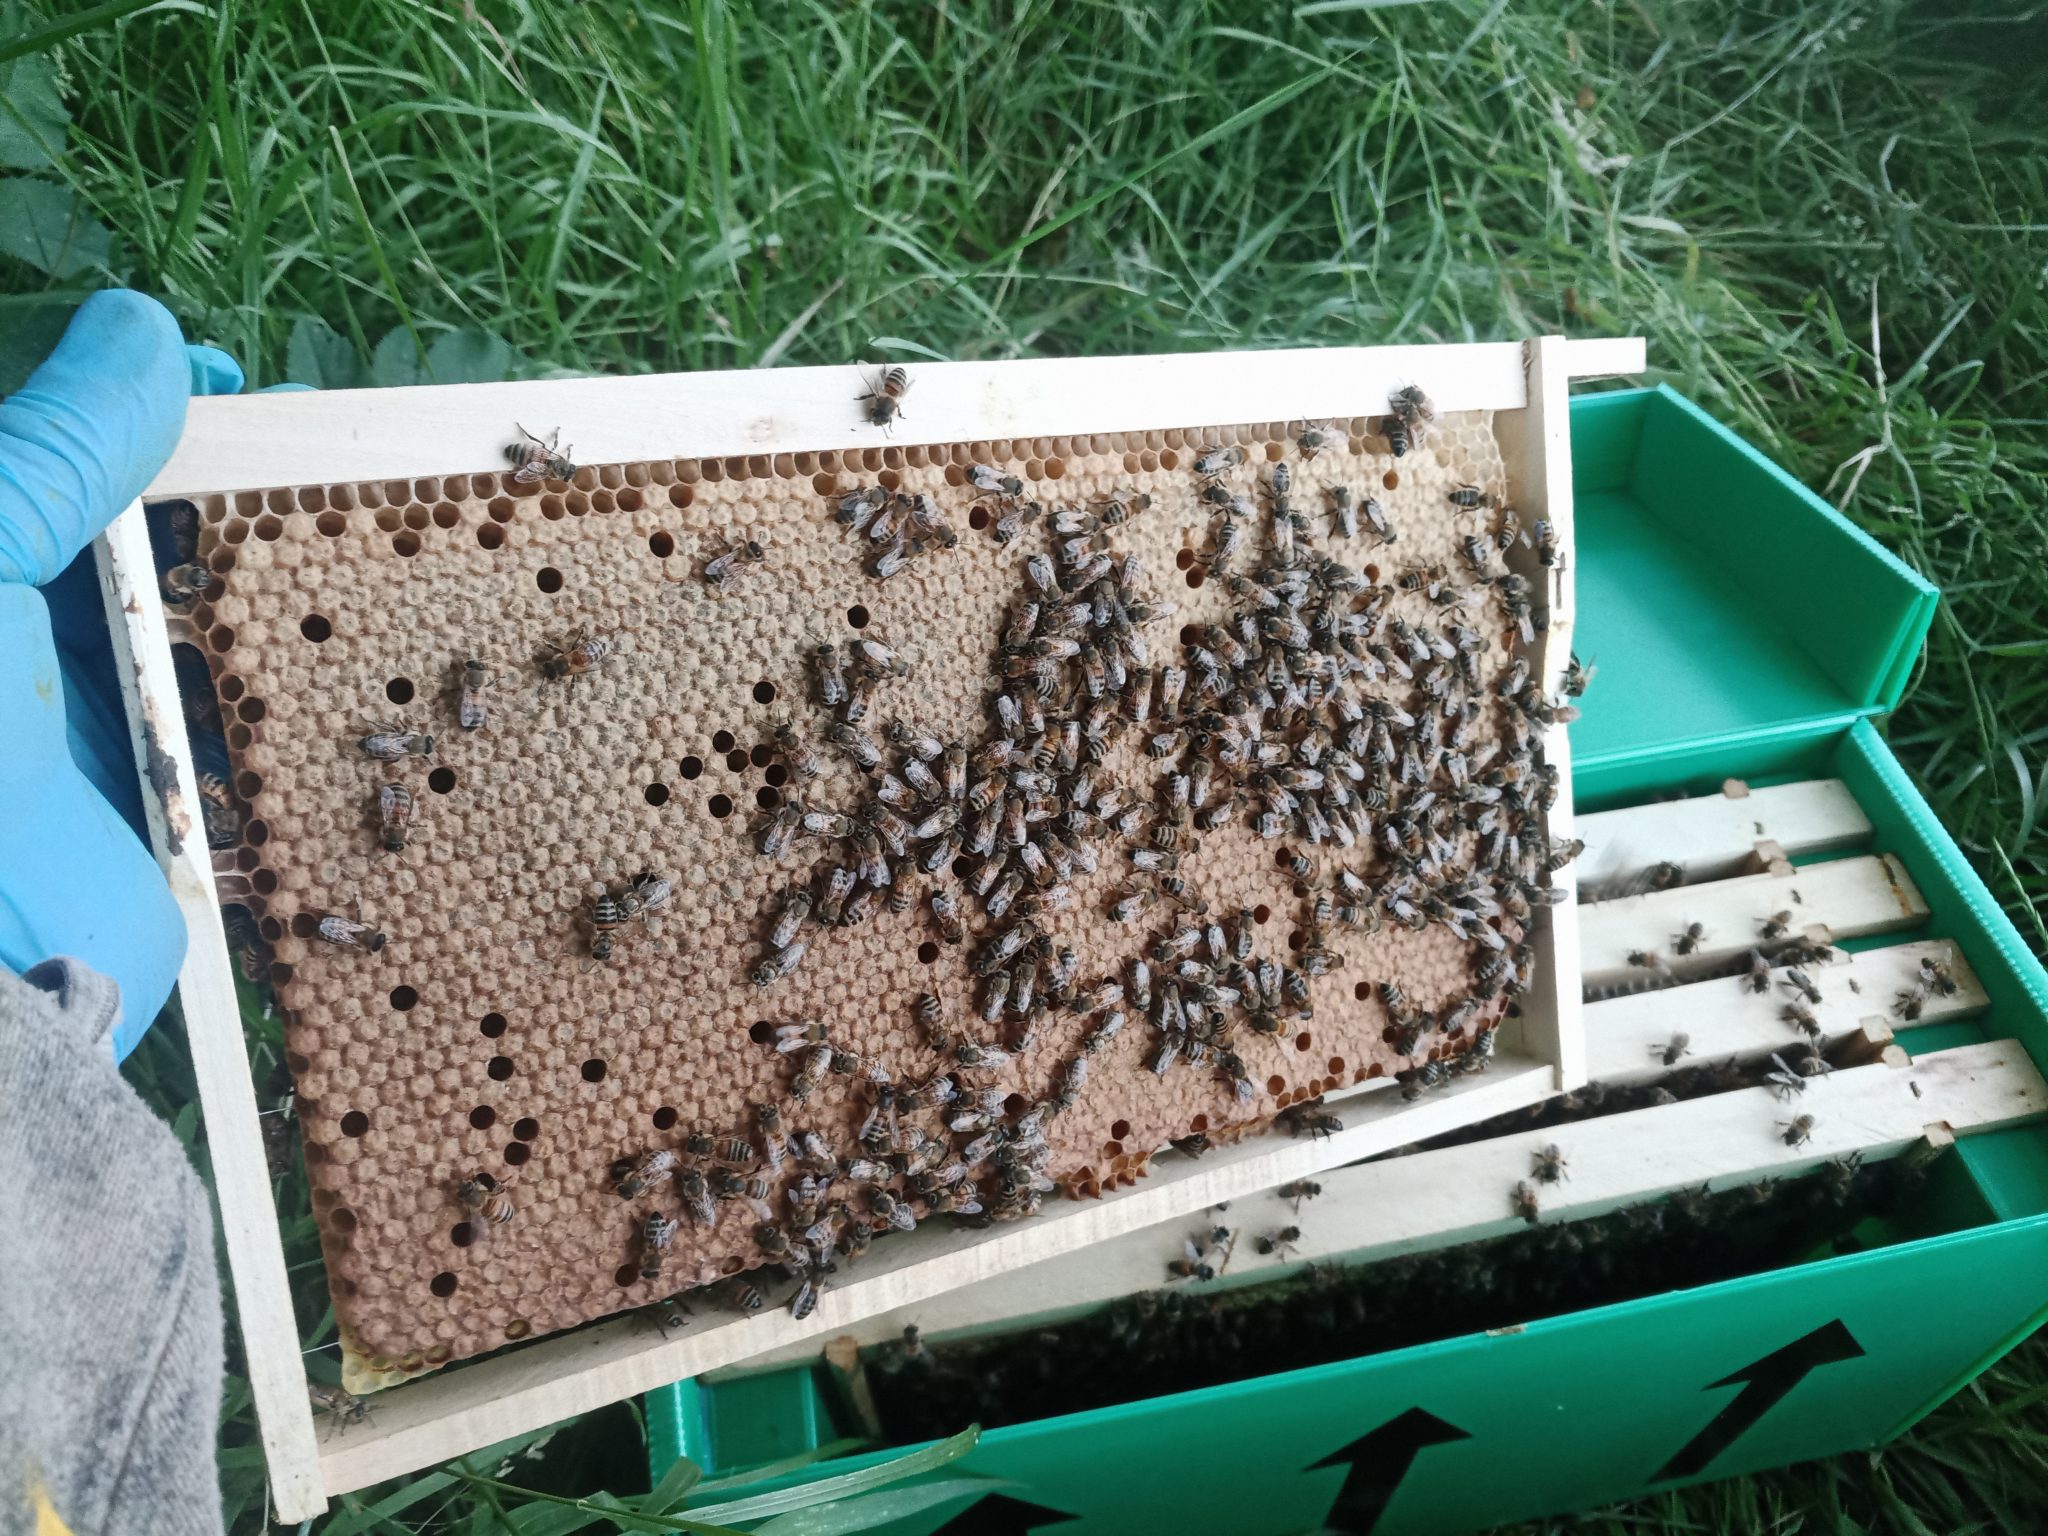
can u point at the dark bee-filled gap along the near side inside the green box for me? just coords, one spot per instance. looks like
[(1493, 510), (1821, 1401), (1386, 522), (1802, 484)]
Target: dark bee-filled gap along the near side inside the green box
[(1189, 1338)]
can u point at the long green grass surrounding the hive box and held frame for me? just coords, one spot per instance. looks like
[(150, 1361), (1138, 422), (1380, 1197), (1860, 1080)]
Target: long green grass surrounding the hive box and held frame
[(1830, 220)]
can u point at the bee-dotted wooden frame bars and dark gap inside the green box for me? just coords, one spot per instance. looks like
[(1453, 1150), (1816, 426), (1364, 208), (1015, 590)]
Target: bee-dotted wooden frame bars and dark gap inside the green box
[(1746, 1113)]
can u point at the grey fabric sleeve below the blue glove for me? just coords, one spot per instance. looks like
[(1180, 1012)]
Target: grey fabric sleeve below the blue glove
[(110, 1297)]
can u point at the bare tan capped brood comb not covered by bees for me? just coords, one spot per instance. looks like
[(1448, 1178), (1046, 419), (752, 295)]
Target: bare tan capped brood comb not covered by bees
[(484, 1039)]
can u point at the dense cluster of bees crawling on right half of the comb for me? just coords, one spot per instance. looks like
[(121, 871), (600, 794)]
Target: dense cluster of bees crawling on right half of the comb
[(1314, 716)]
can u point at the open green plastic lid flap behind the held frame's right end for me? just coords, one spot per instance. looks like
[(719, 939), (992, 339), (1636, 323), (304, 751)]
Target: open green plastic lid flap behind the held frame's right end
[(1717, 595)]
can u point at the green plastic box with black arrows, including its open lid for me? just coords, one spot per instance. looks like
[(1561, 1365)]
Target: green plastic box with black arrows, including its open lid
[(1742, 630)]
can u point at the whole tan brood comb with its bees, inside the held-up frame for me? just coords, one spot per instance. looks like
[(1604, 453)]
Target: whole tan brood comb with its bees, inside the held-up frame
[(1349, 708)]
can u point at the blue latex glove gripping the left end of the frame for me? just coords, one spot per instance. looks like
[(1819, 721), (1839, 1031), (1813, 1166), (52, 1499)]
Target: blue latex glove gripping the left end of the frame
[(77, 445)]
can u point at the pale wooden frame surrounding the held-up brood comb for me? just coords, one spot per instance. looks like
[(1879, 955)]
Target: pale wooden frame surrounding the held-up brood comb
[(296, 439)]
